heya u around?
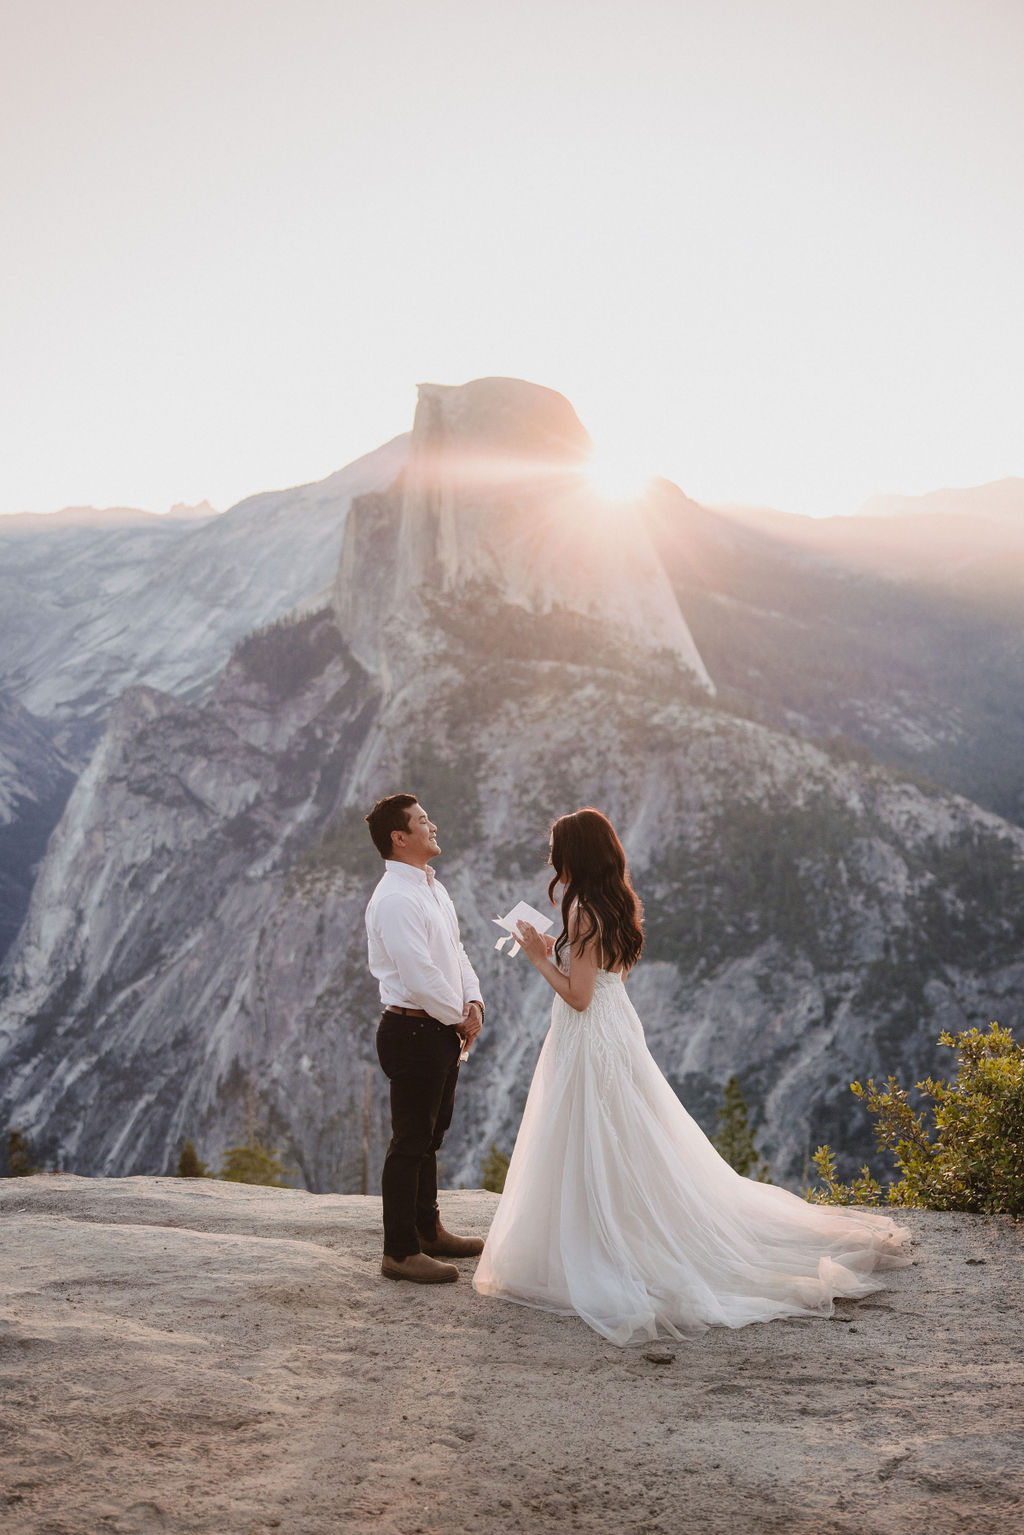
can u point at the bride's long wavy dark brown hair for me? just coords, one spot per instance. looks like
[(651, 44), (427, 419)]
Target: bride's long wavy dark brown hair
[(590, 862)]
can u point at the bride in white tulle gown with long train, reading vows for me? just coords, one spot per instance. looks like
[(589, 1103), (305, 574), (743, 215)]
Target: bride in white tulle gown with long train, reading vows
[(616, 1206)]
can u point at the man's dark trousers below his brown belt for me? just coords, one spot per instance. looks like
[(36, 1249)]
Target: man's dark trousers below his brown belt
[(420, 1058)]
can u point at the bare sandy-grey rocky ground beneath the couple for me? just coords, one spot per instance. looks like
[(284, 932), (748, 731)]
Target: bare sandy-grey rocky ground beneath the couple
[(214, 1359)]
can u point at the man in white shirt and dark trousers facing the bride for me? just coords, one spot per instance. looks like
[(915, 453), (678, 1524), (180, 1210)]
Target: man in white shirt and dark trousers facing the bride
[(432, 1012)]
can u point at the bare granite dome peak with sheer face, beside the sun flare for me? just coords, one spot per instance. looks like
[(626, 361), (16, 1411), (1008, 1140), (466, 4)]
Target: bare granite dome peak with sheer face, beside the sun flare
[(495, 506)]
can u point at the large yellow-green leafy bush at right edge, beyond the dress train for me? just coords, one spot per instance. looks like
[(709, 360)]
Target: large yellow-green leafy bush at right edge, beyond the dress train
[(971, 1158)]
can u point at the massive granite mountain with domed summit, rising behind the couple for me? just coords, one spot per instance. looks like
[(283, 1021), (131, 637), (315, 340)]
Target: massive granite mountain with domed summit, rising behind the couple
[(194, 956)]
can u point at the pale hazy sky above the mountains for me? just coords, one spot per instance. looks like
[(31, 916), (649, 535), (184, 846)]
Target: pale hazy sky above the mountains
[(773, 249)]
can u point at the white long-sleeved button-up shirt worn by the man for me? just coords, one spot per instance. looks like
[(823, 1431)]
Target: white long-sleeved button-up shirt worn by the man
[(415, 946)]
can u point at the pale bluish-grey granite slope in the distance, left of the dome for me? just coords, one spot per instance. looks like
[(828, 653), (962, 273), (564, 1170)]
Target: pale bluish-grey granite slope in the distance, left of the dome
[(93, 604)]
